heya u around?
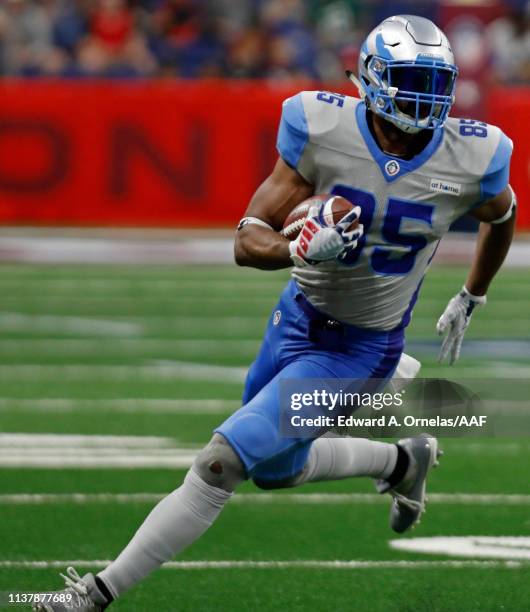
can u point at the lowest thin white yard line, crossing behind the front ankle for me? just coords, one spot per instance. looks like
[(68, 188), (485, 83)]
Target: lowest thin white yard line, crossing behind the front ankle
[(292, 564)]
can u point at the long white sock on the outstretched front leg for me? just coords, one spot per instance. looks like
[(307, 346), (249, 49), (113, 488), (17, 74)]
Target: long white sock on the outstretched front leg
[(177, 521)]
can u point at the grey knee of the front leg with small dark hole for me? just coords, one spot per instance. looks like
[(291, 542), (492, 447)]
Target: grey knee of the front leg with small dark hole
[(218, 464)]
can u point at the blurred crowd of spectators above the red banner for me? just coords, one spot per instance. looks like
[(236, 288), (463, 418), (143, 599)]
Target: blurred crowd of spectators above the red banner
[(272, 39)]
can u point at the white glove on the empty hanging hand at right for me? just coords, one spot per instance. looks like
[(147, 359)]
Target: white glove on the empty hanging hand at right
[(456, 318)]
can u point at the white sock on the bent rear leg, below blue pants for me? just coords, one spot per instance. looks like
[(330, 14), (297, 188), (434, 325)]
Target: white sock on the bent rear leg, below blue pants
[(337, 458)]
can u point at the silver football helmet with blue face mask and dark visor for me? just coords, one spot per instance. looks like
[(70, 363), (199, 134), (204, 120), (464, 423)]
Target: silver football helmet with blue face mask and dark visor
[(407, 73)]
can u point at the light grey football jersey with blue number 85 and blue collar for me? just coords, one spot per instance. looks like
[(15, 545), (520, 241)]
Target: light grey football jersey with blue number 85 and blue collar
[(407, 205)]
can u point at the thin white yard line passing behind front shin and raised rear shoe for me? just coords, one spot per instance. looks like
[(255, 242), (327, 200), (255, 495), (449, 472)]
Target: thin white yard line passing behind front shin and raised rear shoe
[(480, 499)]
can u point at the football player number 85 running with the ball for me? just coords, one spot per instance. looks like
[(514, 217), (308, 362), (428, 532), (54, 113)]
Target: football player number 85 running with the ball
[(412, 171)]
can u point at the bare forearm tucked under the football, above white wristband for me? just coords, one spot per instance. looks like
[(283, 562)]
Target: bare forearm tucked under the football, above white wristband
[(259, 247)]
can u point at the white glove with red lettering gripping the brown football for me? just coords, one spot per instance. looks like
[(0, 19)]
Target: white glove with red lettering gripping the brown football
[(317, 242)]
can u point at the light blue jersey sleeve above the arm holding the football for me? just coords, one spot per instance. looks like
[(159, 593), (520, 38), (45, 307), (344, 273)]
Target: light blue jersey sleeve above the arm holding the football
[(293, 136)]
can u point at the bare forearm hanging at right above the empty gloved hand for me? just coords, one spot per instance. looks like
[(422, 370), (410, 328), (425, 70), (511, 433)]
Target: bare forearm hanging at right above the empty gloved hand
[(493, 244)]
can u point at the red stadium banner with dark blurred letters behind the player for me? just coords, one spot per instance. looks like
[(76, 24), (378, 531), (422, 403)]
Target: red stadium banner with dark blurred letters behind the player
[(152, 153)]
